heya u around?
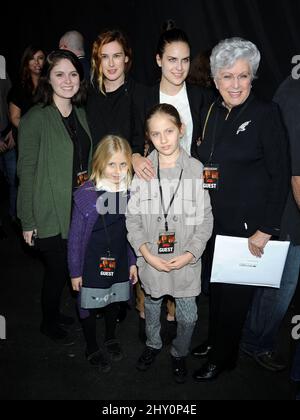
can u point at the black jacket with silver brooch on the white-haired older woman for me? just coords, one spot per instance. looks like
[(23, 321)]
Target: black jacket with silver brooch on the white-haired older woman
[(251, 150)]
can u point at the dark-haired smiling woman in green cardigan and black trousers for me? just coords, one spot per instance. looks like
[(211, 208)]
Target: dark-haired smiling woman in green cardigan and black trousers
[(54, 158)]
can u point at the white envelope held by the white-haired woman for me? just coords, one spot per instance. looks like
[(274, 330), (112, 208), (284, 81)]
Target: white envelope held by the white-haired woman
[(234, 264)]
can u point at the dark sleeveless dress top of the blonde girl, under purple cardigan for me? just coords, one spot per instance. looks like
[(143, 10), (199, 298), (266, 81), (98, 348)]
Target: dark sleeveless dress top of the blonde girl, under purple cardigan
[(98, 244)]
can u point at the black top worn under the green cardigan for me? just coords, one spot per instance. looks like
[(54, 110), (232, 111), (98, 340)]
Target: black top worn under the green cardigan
[(82, 145)]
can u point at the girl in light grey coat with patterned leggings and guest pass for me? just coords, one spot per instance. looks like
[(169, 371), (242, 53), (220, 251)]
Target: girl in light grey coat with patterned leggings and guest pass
[(169, 222)]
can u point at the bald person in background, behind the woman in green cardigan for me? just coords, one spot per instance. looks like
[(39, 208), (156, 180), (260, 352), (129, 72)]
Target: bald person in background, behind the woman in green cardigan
[(74, 41)]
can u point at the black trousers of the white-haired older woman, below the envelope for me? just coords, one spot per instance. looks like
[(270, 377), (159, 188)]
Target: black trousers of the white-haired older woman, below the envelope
[(229, 305)]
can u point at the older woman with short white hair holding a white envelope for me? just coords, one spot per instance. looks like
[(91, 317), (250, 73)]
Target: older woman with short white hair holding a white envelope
[(244, 151)]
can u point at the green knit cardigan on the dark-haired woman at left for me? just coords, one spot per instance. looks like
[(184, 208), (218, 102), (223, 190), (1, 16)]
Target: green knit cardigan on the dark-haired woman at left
[(45, 170)]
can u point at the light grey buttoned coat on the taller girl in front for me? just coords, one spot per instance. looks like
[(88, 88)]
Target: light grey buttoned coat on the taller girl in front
[(190, 217)]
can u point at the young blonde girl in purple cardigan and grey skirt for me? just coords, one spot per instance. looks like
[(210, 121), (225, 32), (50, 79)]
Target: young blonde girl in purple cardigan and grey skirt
[(101, 262)]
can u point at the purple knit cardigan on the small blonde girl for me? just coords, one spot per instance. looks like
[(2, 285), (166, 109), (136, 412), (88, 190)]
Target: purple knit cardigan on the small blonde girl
[(84, 218)]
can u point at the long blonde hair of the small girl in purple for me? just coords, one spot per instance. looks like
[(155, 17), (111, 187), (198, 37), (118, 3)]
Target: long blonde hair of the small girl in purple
[(107, 147)]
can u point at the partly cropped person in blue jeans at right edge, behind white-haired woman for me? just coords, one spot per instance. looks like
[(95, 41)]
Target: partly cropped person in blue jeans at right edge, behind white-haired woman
[(269, 306)]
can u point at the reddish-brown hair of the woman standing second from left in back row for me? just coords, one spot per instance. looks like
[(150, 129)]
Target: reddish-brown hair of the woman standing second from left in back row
[(104, 38)]
